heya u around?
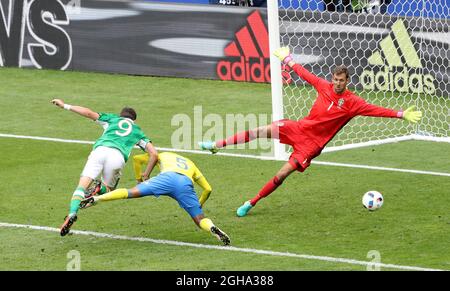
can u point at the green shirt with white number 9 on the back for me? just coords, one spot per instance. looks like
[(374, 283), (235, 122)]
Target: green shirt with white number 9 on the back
[(120, 133)]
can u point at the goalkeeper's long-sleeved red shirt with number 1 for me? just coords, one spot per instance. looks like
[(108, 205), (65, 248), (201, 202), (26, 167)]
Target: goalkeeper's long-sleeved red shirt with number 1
[(331, 111)]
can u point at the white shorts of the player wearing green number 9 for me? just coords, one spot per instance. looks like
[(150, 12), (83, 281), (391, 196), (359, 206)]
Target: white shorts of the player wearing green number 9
[(106, 161)]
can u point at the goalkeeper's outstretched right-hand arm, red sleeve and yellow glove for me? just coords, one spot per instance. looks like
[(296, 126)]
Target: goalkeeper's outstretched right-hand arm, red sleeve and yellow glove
[(366, 109)]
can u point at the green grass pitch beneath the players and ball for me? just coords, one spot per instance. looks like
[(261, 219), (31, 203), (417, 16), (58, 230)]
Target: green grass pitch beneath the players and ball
[(317, 213)]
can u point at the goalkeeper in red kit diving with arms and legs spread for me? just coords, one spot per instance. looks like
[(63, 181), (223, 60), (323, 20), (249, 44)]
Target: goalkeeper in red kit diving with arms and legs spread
[(334, 107)]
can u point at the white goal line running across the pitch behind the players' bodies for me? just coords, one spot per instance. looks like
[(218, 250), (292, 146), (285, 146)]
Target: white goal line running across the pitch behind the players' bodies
[(242, 156)]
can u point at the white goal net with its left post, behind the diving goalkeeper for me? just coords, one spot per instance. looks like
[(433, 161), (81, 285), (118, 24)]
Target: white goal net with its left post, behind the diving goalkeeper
[(398, 55)]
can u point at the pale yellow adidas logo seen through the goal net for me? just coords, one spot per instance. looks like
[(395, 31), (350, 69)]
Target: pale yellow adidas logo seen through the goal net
[(397, 66)]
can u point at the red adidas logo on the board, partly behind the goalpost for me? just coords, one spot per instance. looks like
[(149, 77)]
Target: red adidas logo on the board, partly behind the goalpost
[(248, 57)]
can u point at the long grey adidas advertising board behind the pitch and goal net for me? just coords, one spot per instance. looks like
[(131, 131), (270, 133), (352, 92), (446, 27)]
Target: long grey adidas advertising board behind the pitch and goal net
[(386, 53)]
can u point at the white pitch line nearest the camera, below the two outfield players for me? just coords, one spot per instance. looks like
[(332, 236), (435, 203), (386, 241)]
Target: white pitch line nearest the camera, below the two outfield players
[(223, 248)]
